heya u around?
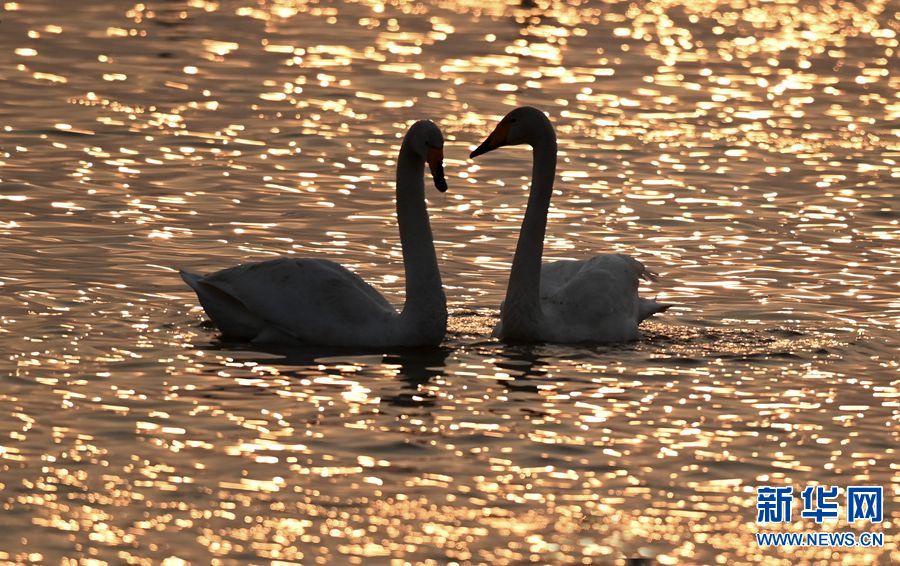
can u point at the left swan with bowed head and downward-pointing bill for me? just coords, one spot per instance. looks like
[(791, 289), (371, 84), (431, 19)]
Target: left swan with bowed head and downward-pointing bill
[(320, 302)]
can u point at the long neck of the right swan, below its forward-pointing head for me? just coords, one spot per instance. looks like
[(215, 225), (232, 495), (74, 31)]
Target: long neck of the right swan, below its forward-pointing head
[(523, 292)]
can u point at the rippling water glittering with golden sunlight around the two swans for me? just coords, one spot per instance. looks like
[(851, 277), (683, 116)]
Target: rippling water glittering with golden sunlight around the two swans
[(746, 150)]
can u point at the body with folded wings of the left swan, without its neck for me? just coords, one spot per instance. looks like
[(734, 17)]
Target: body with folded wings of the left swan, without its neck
[(307, 300)]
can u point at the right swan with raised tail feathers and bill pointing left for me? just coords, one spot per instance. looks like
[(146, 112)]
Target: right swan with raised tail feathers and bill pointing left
[(593, 300)]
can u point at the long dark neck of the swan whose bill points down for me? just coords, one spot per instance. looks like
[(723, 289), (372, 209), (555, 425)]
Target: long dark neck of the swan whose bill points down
[(425, 301)]
